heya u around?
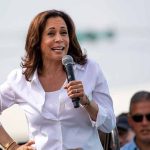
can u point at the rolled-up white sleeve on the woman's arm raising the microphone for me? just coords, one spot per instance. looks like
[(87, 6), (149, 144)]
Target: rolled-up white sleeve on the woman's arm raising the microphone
[(106, 119)]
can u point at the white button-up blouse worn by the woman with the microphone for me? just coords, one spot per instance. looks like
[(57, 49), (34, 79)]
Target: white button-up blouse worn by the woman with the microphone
[(53, 122)]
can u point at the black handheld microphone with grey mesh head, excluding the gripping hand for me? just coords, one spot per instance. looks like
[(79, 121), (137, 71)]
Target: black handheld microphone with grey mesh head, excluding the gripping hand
[(68, 62)]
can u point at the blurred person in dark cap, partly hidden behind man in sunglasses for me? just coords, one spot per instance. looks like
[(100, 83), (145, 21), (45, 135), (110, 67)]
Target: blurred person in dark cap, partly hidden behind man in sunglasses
[(124, 130)]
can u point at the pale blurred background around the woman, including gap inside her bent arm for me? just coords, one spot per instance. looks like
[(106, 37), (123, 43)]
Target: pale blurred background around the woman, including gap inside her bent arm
[(114, 33)]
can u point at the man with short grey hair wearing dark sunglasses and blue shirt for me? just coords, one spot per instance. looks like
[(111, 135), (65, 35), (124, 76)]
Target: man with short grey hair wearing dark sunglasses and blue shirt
[(139, 120)]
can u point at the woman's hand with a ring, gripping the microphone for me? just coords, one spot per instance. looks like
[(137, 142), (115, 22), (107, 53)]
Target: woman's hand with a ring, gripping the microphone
[(76, 89)]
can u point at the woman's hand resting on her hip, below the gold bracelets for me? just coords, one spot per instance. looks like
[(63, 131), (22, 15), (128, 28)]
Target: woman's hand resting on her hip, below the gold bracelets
[(27, 146)]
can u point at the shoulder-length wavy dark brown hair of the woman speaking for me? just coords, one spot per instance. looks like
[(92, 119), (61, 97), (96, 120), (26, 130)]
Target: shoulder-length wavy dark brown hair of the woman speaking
[(33, 57)]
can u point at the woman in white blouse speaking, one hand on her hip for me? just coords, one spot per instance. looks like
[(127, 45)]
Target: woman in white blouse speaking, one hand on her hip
[(42, 91)]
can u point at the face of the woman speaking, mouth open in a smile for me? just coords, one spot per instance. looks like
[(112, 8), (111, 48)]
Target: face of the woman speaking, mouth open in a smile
[(55, 39)]
